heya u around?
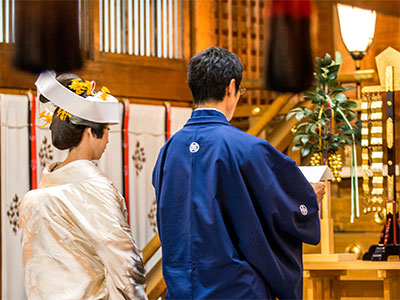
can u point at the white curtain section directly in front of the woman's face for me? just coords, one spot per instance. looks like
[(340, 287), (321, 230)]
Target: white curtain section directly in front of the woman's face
[(111, 160)]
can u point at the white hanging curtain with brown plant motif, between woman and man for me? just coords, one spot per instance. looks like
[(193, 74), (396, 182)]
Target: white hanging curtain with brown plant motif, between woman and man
[(146, 137)]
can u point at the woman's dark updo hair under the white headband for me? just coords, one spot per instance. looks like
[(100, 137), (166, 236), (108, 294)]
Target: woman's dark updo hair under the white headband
[(67, 130)]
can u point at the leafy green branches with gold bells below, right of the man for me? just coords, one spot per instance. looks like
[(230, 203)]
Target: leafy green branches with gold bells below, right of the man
[(330, 124)]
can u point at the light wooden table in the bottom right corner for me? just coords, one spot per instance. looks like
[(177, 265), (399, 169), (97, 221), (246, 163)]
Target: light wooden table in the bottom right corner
[(351, 280)]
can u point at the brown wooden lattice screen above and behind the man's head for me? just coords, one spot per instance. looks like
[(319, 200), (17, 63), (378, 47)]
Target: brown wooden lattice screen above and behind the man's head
[(240, 29)]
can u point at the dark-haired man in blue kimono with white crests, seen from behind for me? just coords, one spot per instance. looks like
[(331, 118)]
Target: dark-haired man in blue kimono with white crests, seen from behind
[(232, 211)]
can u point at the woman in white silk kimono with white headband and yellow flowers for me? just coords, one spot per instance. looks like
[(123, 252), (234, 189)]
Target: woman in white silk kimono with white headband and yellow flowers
[(76, 241)]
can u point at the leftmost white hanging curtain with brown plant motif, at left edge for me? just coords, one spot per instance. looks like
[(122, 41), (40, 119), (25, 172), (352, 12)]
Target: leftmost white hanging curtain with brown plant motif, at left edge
[(14, 184)]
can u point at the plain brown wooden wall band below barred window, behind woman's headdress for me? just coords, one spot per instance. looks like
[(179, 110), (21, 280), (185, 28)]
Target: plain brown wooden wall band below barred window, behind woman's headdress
[(146, 78)]
